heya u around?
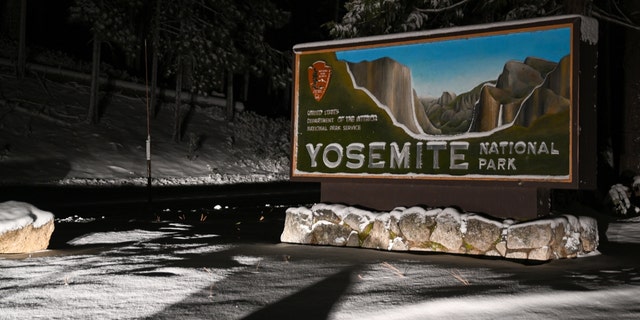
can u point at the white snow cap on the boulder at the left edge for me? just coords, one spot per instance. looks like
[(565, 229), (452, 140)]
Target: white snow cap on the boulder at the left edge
[(16, 215)]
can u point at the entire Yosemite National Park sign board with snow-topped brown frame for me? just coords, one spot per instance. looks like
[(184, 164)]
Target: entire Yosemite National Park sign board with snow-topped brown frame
[(494, 102)]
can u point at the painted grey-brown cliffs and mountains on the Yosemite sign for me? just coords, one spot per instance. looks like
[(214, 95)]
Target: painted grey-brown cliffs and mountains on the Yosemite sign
[(522, 93)]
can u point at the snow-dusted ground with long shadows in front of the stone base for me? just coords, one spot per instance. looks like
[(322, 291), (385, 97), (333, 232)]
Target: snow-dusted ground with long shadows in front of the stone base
[(105, 269)]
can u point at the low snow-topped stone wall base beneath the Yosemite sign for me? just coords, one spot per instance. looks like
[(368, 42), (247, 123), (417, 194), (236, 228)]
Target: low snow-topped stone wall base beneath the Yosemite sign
[(441, 230)]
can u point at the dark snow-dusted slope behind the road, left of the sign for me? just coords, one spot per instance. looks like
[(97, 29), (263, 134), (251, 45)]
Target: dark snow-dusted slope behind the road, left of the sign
[(44, 138)]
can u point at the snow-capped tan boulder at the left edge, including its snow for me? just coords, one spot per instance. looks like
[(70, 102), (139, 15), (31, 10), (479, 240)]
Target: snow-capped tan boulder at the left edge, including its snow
[(24, 228)]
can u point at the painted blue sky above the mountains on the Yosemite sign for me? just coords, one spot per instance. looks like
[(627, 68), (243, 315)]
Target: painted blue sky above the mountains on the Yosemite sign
[(458, 65)]
